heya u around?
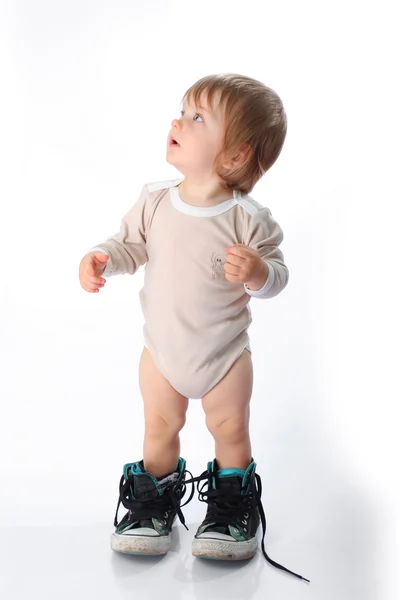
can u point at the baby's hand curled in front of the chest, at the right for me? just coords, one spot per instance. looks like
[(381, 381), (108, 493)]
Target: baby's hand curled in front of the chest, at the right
[(244, 265)]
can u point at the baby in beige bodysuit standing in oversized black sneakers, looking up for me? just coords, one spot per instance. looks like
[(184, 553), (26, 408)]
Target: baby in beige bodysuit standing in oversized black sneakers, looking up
[(208, 248)]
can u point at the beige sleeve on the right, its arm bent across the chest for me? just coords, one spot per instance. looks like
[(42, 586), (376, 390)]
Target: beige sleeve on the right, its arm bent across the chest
[(265, 236)]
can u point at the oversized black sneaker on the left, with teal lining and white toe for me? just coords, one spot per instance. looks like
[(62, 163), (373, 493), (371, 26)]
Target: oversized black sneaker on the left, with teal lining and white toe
[(153, 505)]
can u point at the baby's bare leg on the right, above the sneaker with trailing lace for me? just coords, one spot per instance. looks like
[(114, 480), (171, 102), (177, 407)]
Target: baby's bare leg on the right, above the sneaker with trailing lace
[(227, 410)]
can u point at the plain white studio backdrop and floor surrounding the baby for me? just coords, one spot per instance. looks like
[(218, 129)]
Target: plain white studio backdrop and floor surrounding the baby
[(88, 93)]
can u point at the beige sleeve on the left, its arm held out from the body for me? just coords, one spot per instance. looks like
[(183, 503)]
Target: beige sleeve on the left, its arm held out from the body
[(127, 248)]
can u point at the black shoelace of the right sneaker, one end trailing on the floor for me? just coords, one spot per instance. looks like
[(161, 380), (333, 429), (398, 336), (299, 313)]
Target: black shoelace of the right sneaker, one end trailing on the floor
[(227, 504)]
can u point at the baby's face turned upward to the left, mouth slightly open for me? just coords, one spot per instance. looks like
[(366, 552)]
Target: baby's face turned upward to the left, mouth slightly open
[(199, 135)]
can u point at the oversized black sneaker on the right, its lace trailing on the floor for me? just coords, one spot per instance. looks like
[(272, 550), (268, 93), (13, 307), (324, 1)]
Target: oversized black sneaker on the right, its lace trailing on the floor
[(229, 530)]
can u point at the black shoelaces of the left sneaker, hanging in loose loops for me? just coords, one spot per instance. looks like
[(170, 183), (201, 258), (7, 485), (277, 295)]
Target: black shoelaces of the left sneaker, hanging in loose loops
[(149, 507)]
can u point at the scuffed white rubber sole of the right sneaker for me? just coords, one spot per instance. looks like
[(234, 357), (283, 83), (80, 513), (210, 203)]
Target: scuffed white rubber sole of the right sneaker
[(223, 549)]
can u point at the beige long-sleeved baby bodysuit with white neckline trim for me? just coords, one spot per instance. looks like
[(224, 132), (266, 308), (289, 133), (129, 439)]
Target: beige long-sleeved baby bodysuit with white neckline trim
[(196, 321)]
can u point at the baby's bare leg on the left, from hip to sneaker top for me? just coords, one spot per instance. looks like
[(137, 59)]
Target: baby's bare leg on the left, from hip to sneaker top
[(165, 415)]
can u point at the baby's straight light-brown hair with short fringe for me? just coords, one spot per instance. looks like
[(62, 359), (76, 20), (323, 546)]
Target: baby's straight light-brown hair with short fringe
[(255, 123)]
